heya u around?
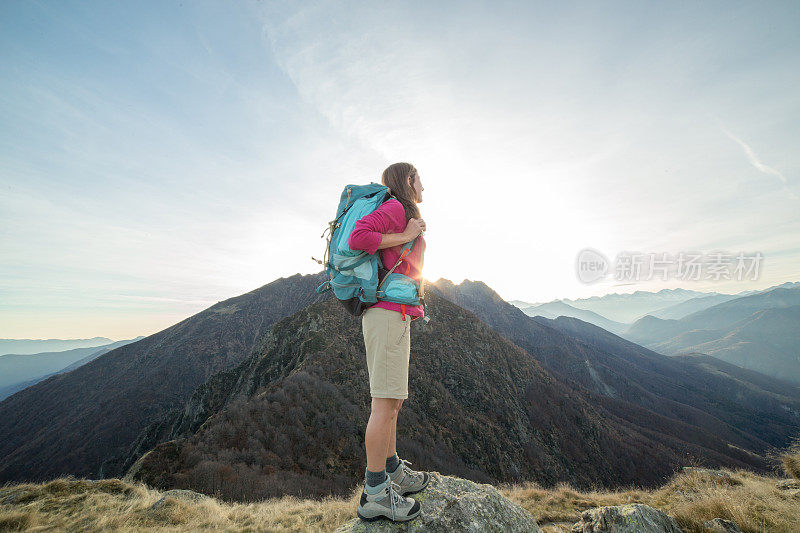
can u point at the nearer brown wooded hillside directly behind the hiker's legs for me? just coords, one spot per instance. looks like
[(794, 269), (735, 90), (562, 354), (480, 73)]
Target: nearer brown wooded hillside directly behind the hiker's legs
[(479, 407)]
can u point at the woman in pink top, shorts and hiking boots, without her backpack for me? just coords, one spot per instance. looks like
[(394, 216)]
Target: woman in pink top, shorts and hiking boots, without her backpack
[(387, 337)]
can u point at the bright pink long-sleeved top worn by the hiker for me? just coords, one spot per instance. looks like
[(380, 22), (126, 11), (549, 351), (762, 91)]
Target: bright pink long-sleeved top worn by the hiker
[(390, 217)]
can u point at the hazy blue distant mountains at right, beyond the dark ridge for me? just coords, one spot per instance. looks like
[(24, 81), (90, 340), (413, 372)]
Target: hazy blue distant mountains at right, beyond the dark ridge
[(753, 329)]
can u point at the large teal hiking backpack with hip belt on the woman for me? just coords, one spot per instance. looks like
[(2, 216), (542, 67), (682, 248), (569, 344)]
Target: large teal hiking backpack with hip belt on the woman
[(359, 279)]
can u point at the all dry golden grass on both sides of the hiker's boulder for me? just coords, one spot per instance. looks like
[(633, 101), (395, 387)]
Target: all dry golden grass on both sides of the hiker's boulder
[(750, 500)]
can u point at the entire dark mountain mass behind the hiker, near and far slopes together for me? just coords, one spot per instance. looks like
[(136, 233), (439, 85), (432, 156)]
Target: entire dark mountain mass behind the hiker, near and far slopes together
[(267, 393)]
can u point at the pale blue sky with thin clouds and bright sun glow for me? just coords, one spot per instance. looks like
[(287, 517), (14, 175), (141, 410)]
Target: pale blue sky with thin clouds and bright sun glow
[(156, 158)]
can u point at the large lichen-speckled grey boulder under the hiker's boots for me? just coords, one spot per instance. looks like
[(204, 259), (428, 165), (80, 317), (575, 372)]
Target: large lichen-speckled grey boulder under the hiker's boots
[(455, 504)]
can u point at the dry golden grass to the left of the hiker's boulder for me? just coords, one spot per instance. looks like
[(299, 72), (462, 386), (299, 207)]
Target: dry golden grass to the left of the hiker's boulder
[(115, 505)]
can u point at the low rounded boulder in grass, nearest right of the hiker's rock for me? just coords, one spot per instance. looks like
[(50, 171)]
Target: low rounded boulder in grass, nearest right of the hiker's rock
[(628, 518)]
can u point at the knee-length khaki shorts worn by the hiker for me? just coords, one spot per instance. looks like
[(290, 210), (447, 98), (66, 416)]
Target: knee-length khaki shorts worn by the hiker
[(387, 338)]
